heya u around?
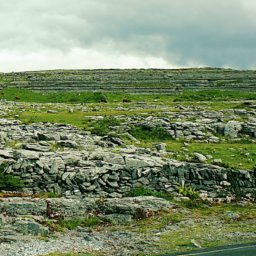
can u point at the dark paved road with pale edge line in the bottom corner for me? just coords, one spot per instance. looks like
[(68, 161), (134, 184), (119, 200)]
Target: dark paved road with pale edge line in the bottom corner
[(234, 250)]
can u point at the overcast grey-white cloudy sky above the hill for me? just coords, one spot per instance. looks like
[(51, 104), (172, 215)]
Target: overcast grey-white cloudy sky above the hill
[(53, 34)]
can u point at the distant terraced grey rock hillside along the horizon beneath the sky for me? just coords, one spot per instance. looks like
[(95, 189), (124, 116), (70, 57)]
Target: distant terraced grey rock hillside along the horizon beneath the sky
[(134, 80)]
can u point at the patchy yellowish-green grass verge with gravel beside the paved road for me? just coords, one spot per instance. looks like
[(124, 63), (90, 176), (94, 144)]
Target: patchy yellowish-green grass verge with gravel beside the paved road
[(210, 225)]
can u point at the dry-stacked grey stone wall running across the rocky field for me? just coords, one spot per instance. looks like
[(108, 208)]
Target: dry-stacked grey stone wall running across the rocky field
[(110, 174)]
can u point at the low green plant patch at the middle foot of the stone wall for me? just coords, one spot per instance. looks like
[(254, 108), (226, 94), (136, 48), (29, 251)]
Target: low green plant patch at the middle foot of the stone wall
[(142, 191)]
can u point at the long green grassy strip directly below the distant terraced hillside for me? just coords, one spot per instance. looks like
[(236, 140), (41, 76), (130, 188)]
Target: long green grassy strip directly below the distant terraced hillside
[(24, 95)]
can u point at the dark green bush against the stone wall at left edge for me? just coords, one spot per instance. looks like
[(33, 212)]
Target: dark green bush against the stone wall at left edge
[(9, 182)]
